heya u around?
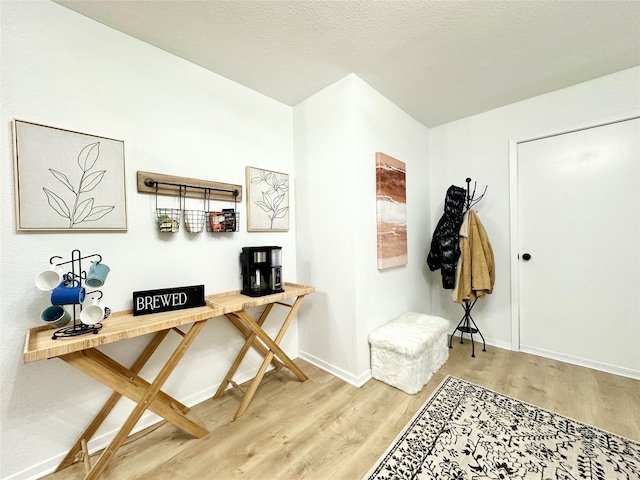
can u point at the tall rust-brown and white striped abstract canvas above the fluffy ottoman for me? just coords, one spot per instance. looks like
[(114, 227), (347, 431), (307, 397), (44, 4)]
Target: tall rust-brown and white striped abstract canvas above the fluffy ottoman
[(391, 209)]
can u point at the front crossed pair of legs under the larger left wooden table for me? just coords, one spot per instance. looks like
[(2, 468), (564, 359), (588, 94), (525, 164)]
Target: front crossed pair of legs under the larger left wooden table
[(105, 370)]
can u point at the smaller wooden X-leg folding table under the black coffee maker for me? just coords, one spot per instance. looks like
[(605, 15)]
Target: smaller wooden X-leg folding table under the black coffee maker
[(234, 305)]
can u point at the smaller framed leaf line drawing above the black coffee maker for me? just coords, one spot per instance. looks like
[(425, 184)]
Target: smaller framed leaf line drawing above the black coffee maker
[(267, 200)]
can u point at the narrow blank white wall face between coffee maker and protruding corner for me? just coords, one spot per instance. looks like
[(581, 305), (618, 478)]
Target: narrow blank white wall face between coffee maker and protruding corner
[(323, 150)]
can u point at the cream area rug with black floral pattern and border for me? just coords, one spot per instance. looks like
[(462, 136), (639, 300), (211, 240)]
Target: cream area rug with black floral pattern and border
[(466, 432)]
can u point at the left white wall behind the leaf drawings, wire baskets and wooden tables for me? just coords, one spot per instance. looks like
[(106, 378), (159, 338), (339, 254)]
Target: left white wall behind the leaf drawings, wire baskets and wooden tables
[(61, 69)]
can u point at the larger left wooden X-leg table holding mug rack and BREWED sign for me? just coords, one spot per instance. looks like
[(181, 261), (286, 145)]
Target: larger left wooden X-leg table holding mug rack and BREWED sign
[(81, 353)]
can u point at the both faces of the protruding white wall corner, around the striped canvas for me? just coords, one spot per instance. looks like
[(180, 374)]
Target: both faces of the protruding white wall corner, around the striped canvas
[(337, 133)]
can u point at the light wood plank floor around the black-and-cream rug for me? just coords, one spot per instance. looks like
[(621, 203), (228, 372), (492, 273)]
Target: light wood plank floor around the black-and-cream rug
[(327, 429)]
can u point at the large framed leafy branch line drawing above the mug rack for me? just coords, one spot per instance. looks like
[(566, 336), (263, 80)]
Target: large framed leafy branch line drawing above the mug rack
[(68, 181)]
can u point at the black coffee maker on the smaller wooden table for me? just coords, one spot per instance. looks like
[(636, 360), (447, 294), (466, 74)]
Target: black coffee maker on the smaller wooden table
[(261, 270)]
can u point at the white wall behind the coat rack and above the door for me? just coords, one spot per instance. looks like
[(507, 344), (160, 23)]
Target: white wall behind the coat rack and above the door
[(478, 147)]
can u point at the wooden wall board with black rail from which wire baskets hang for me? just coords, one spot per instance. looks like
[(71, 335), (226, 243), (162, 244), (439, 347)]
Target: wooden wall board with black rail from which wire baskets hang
[(160, 184)]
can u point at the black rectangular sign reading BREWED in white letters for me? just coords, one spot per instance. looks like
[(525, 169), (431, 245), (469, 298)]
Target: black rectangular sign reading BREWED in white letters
[(166, 299)]
